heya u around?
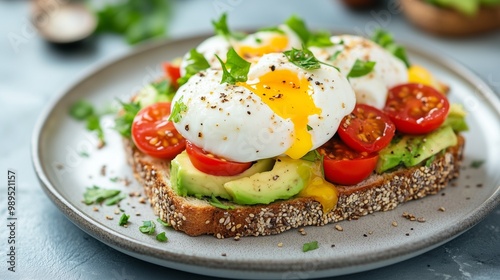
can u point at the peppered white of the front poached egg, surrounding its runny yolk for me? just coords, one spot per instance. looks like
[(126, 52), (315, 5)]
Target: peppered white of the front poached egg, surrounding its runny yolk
[(232, 122)]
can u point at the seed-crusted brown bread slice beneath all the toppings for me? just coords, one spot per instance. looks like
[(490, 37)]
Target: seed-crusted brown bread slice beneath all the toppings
[(377, 193)]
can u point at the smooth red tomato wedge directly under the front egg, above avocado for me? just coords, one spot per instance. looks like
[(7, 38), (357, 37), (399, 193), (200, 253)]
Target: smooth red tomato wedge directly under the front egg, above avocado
[(211, 164)]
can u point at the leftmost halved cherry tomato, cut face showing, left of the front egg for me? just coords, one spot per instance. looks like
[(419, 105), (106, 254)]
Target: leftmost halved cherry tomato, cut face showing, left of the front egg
[(154, 134)]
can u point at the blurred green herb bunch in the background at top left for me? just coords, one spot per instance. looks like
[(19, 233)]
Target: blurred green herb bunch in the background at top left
[(137, 20)]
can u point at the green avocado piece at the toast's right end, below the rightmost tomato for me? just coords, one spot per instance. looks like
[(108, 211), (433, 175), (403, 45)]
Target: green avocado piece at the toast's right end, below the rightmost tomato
[(411, 150)]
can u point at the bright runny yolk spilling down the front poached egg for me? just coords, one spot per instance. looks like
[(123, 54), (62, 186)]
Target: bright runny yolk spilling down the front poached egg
[(290, 98)]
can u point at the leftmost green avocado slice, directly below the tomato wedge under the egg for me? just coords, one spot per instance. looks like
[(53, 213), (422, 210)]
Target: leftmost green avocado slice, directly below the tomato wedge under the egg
[(187, 180)]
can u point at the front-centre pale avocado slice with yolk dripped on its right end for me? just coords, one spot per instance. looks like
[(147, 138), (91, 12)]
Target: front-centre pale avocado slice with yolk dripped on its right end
[(287, 178)]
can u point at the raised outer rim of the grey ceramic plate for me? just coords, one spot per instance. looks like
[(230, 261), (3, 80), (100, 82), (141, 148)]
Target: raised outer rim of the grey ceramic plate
[(134, 247)]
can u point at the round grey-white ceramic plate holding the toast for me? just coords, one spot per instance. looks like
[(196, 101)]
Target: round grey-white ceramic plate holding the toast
[(367, 243)]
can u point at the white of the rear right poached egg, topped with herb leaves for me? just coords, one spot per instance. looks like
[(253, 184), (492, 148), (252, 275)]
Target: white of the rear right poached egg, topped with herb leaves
[(372, 88)]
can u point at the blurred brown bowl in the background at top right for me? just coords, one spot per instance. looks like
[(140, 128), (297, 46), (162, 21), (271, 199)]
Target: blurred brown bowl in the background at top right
[(444, 21)]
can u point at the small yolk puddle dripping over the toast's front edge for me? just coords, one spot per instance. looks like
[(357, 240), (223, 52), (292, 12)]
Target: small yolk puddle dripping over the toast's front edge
[(322, 191)]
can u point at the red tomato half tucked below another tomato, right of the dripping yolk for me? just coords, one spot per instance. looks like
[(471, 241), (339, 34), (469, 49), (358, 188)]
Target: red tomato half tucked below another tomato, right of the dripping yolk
[(345, 166)]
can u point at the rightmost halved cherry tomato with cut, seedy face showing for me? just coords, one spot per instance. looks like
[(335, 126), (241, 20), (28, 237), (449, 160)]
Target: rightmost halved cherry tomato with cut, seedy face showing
[(416, 108)]
